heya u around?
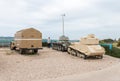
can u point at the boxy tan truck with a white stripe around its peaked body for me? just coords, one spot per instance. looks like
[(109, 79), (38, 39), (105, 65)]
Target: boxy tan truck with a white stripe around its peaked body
[(27, 39)]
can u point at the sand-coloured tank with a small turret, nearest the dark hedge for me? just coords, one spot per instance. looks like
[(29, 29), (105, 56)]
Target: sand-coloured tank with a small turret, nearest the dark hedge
[(88, 46)]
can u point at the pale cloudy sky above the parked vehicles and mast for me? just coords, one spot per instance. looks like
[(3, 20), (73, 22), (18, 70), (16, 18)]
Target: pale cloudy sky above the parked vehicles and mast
[(82, 17)]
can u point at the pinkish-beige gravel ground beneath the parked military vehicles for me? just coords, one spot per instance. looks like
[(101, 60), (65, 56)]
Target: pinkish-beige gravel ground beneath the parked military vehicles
[(48, 64)]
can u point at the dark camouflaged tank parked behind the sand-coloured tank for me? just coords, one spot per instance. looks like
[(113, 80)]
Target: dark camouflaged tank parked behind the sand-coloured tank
[(62, 44)]
